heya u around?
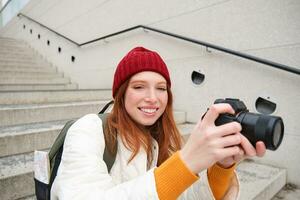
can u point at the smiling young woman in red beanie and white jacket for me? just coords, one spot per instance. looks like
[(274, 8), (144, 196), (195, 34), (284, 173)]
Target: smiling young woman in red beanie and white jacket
[(151, 160)]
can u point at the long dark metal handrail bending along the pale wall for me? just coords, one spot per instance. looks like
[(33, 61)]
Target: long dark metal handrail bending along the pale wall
[(206, 44)]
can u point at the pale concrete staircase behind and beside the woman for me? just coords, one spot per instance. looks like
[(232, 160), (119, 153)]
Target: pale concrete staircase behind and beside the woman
[(35, 102)]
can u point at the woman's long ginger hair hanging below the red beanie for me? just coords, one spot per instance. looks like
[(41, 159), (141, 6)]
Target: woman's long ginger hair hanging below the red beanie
[(135, 136)]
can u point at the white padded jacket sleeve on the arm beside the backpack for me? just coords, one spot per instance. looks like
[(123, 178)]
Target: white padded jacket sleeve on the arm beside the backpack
[(83, 174)]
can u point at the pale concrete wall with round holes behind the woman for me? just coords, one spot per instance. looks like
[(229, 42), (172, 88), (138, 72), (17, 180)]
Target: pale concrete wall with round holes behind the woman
[(265, 28)]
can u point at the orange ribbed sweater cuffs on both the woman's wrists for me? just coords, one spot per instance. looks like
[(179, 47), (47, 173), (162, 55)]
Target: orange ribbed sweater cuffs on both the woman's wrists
[(172, 181)]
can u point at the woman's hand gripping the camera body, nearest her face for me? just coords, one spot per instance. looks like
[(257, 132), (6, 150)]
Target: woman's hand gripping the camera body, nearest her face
[(209, 143)]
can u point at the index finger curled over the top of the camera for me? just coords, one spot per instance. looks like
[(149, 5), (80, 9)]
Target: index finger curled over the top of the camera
[(214, 111)]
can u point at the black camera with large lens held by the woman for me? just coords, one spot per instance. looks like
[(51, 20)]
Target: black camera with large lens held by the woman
[(255, 127)]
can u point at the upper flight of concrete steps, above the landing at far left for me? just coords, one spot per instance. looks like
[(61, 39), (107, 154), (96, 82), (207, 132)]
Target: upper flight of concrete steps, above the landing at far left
[(21, 68)]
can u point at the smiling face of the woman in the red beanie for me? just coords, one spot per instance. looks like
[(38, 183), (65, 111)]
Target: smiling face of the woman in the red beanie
[(146, 97)]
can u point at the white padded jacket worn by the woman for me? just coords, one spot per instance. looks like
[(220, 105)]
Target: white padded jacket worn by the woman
[(83, 174)]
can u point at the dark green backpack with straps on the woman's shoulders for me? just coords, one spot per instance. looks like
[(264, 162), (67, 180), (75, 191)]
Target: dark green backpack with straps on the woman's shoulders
[(42, 190)]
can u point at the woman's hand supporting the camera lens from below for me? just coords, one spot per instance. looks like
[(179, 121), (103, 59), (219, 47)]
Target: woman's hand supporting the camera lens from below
[(246, 150)]
